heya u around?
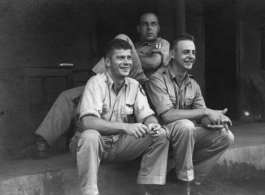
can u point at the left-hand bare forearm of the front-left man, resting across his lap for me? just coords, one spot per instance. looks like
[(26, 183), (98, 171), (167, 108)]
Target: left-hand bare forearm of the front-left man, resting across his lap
[(103, 126)]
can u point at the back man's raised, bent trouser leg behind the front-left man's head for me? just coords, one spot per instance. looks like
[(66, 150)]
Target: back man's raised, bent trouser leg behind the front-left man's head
[(136, 70)]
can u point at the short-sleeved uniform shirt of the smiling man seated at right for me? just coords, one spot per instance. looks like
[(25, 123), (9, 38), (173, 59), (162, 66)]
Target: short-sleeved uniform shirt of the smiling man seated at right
[(165, 93)]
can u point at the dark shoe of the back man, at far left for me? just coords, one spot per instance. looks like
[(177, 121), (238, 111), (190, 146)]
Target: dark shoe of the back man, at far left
[(40, 149)]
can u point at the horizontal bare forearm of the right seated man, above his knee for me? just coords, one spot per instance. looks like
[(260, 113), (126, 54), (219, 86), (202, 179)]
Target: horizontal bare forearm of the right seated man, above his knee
[(178, 114)]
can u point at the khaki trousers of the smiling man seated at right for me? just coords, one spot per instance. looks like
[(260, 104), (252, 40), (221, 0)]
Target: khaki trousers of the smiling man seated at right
[(196, 149)]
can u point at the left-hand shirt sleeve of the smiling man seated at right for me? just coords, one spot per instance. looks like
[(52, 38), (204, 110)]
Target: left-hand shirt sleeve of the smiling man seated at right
[(158, 94)]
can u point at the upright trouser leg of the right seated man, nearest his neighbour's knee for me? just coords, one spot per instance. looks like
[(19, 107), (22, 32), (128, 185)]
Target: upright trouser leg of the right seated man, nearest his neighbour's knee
[(182, 139)]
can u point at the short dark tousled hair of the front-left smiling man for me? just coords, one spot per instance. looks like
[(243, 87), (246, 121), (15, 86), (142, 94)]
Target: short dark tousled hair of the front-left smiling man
[(115, 44)]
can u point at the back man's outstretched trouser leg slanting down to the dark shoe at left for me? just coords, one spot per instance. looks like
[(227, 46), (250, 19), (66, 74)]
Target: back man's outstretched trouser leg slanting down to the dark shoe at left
[(58, 119)]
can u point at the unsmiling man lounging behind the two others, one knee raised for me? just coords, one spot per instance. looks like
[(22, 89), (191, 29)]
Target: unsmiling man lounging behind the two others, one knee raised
[(151, 53)]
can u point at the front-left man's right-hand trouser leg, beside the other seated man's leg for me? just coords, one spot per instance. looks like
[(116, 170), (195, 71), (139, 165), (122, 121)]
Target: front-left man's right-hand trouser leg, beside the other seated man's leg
[(154, 152)]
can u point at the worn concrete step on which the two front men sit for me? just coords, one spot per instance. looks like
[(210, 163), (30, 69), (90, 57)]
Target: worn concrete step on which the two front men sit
[(58, 175)]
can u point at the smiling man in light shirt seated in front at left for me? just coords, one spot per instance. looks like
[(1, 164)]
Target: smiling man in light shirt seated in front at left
[(104, 133)]
